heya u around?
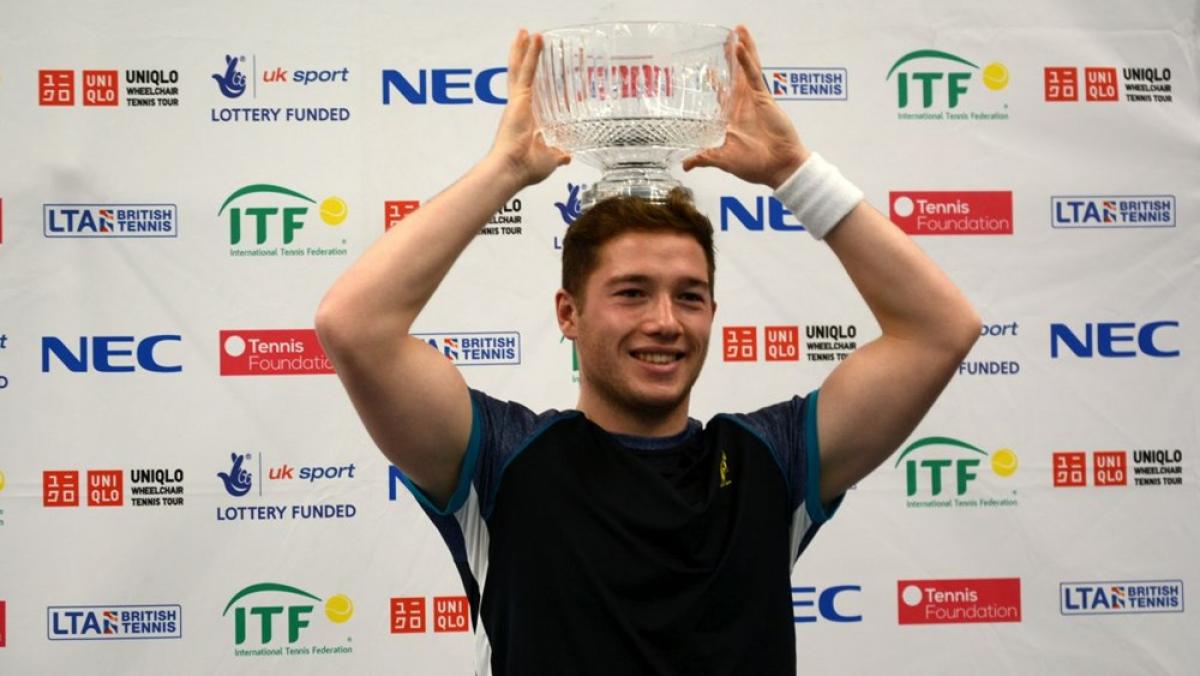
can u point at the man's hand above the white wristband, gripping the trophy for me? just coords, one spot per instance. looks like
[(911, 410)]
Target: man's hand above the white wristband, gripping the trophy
[(761, 145)]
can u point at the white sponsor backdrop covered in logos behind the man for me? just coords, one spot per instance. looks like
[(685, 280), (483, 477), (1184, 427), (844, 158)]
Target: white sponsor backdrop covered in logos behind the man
[(184, 487)]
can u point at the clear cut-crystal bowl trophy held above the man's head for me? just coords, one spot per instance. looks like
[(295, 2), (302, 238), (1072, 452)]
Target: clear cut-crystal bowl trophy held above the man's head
[(632, 99)]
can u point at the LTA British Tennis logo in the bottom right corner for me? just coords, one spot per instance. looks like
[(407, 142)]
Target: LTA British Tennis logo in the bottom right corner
[(1121, 599)]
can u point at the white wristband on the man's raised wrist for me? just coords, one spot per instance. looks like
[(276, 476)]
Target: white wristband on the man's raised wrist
[(819, 196)]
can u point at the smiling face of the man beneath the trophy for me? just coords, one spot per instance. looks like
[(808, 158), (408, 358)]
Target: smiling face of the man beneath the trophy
[(643, 326)]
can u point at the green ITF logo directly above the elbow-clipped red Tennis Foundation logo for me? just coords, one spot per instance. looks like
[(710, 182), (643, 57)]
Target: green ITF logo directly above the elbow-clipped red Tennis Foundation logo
[(267, 220)]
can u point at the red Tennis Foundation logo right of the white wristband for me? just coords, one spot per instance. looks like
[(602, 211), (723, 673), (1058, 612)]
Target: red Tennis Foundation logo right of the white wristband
[(989, 212)]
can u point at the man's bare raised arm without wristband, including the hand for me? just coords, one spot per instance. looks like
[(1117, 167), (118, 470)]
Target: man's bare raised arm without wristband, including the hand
[(412, 400)]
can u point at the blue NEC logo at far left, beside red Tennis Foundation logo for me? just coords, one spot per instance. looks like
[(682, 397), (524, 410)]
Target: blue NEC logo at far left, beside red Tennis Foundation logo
[(110, 355)]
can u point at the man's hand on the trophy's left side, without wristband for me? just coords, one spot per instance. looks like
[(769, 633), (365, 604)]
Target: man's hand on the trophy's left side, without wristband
[(518, 142)]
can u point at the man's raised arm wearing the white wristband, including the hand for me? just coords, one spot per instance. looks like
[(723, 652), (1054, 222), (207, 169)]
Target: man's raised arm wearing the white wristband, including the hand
[(874, 399)]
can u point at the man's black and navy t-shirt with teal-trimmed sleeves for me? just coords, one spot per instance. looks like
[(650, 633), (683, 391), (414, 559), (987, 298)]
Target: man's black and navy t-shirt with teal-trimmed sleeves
[(587, 553)]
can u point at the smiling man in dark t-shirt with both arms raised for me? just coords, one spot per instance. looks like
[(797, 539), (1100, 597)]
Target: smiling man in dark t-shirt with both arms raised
[(623, 537)]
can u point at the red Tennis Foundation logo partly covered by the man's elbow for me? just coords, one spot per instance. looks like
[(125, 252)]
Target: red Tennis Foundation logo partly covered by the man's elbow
[(273, 352)]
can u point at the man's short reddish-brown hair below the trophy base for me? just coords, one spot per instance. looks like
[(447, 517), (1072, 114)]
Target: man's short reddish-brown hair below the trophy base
[(616, 217)]
